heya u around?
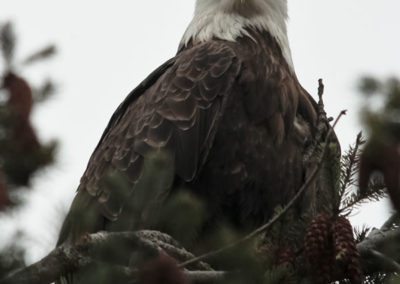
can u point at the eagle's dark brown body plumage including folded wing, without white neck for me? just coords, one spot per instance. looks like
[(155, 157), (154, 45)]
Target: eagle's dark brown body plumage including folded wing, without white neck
[(227, 107)]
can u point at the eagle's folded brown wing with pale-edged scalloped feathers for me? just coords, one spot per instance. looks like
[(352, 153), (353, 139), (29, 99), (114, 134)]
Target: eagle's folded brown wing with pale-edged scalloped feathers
[(177, 110)]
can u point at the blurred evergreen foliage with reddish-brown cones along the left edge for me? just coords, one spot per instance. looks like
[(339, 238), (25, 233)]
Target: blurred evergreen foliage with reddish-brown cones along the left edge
[(22, 154)]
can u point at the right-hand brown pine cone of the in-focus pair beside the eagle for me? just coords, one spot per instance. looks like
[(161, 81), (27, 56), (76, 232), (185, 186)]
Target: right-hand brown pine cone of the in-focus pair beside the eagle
[(346, 252)]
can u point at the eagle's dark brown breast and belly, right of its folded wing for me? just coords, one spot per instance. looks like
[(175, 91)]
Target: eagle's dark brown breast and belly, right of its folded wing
[(255, 162)]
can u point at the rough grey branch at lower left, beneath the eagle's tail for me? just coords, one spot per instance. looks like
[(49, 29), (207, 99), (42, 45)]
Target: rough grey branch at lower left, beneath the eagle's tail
[(91, 248)]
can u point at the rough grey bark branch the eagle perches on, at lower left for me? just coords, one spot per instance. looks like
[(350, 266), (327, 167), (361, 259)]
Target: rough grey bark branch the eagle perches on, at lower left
[(96, 248)]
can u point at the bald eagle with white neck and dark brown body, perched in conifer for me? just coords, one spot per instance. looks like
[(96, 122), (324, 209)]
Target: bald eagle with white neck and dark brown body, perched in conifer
[(228, 108)]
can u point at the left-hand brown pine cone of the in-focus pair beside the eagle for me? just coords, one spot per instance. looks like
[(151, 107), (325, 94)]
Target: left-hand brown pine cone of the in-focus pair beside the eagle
[(319, 248)]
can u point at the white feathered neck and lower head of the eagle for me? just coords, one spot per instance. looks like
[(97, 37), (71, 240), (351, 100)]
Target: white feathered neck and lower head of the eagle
[(228, 20)]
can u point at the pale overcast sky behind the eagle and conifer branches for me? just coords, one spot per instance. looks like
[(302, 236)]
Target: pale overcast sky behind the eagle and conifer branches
[(107, 47)]
